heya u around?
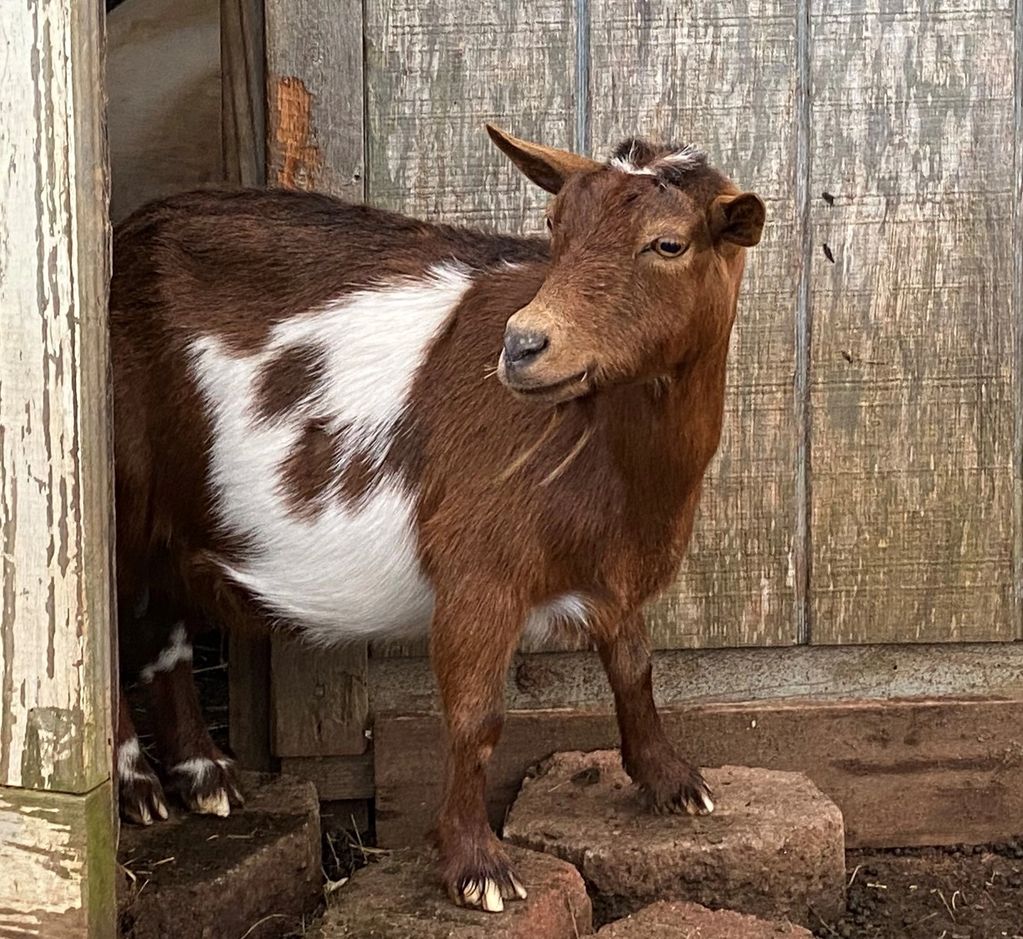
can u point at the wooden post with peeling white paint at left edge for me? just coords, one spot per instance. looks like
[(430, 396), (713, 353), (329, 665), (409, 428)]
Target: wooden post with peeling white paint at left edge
[(57, 628)]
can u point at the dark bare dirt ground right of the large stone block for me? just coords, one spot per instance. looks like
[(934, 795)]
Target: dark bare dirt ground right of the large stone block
[(933, 893)]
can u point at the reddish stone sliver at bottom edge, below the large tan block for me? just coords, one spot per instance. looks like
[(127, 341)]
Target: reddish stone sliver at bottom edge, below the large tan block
[(682, 920)]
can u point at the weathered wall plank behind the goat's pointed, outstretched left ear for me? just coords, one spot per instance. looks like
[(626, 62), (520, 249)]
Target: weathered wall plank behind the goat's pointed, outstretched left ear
[(436, 72)]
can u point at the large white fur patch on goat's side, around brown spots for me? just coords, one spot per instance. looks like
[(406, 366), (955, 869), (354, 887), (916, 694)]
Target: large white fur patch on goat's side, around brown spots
[(352, 570)]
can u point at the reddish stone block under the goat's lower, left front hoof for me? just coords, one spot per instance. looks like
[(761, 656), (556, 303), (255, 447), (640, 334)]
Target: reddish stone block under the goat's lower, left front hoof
[(401, 898)]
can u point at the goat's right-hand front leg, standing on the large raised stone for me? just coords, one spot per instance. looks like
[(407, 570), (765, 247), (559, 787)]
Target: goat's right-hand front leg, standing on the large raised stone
[(668, 781)]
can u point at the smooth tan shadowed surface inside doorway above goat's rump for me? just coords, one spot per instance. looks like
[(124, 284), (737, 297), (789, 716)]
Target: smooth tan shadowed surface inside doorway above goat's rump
[(163, 77)]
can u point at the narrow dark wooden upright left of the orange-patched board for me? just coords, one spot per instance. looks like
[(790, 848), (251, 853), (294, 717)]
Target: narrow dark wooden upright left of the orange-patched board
[(243, 106)]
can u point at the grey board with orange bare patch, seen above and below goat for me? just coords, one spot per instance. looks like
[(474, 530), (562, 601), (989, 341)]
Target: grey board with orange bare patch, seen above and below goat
[(315, 76)]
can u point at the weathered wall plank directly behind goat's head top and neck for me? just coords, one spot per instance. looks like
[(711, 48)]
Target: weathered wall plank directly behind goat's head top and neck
[(725, 78)]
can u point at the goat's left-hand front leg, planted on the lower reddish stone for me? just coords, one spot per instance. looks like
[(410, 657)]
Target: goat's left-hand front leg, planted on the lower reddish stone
[(472, 645)]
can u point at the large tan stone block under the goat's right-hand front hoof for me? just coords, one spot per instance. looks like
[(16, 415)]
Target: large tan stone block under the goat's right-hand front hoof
[(774, 846)]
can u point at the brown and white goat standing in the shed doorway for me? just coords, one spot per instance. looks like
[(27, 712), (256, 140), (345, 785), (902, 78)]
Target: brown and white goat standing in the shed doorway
[(309, 431)]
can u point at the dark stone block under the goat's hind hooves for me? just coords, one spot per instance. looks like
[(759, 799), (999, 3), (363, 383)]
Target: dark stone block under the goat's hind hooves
[(255, 874)]
